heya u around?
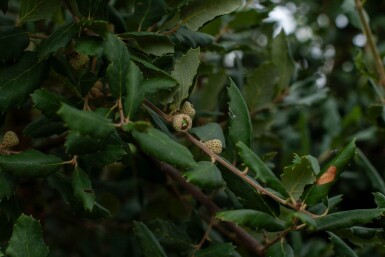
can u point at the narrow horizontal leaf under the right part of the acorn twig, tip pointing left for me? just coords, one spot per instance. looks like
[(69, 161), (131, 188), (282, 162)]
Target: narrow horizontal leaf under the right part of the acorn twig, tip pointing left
[(253, 219)]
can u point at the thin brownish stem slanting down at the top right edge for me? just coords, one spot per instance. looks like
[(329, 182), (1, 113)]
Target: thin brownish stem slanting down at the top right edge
[(372, 46)]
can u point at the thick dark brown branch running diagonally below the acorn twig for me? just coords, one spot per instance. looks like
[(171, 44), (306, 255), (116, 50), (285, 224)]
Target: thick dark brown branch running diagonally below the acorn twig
[(237, 233)]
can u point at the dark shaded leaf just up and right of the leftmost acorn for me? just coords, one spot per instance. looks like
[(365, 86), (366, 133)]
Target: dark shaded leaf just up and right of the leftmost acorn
[(44, 127)]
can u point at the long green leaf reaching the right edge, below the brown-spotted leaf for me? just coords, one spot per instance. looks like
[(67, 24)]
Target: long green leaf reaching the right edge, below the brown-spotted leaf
[(346, 219)]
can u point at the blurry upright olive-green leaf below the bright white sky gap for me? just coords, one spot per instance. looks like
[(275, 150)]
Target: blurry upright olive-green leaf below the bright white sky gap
[(280, 56)]
